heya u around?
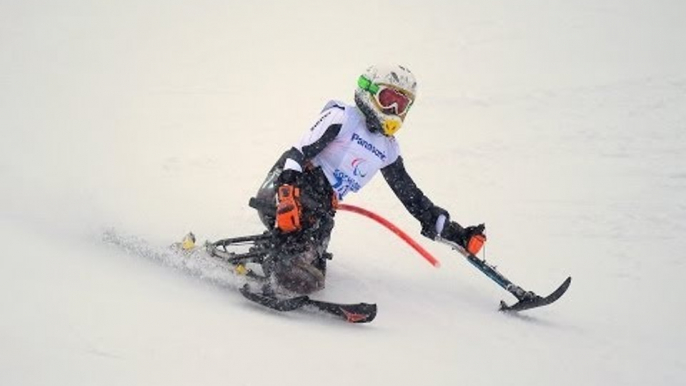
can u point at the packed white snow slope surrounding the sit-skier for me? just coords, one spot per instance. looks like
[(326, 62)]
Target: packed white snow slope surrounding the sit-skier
[(560, 124)]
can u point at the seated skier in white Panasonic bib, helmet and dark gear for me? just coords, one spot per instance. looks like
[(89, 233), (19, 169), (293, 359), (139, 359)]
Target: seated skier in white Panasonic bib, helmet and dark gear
[(340, 154)]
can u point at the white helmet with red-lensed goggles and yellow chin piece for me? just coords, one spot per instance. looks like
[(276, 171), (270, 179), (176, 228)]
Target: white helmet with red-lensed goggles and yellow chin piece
[(385, 94)]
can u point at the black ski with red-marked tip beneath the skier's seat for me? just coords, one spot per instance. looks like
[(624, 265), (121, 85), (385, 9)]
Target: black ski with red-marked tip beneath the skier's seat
[(352, 313)]
